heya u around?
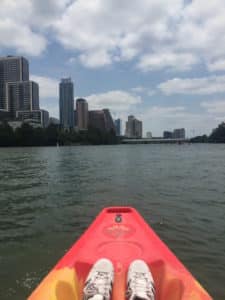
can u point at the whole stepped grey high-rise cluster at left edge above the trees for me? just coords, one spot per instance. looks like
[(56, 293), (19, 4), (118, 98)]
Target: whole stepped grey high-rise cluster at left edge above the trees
[(19, 97)]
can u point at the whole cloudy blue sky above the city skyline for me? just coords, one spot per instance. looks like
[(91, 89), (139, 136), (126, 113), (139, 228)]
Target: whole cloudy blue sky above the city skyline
[(162, 61)]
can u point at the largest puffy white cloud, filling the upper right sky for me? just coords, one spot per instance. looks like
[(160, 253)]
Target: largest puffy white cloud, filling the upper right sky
[(160, 34)]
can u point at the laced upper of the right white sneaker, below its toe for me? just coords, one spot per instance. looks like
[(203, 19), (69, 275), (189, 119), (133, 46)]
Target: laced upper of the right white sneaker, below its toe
[(140, 285)]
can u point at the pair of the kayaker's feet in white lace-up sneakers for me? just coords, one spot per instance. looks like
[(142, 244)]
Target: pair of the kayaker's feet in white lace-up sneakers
[(140, 284)]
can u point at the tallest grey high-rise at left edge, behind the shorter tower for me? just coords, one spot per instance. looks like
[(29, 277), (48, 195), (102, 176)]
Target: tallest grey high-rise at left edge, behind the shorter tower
[(12, 69)]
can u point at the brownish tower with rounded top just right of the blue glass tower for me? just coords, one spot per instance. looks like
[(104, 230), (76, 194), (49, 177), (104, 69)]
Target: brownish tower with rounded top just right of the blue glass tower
[(82, 114)]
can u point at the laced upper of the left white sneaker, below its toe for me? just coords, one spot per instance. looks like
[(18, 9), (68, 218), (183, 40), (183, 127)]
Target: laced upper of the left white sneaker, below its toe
[(100, 284)]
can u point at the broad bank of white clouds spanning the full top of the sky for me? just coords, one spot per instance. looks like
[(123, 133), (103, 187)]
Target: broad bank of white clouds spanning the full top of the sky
[(157, 34)]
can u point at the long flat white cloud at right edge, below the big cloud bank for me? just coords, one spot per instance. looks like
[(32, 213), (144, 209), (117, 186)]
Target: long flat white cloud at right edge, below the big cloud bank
[(198, 86)]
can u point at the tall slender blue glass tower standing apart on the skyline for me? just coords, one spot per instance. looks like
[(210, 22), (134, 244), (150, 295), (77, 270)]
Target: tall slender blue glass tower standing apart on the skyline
[(66, 103)]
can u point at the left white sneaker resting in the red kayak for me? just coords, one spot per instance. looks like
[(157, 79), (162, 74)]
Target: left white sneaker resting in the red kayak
[(98, 285)]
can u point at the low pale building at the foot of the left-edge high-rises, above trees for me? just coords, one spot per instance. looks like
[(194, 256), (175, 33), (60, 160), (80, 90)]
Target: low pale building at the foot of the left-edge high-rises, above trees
[(40, 116)]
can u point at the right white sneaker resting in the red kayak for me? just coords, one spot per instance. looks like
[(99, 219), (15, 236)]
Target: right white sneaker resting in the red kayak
[(140, 284)]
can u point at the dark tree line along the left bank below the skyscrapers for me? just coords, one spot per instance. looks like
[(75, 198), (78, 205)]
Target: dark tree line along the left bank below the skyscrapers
[(53, 135)]
